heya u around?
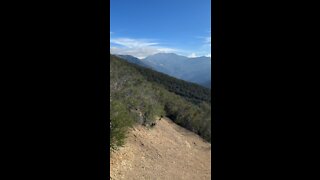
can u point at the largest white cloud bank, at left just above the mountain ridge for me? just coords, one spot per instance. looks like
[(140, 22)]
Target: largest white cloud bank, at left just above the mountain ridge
[(140, 48)]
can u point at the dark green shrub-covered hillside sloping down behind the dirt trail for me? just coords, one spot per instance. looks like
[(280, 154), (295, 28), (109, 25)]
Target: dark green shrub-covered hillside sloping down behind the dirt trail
[(139, 95)]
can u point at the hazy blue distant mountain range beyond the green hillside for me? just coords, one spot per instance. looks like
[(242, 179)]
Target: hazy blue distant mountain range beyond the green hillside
[(196, 70)]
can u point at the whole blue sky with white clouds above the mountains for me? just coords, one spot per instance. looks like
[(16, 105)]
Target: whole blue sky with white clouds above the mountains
[(145, 27)]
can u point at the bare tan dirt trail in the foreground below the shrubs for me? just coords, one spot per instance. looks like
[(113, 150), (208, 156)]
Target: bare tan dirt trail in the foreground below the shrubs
[(166, 151)]
